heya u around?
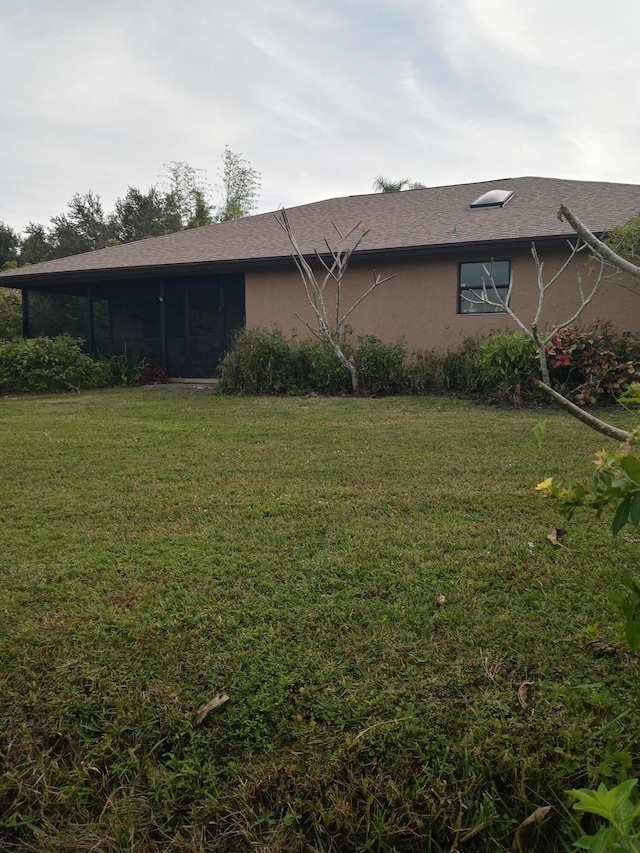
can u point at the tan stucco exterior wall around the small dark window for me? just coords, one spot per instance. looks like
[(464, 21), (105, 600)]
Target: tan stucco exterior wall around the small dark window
[(421, 303)]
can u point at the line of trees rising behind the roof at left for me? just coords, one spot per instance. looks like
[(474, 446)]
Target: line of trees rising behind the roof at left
[(183, 199)]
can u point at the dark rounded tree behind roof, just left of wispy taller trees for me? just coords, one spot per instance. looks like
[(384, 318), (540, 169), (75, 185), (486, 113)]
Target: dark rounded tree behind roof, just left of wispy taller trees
[(140, 215)]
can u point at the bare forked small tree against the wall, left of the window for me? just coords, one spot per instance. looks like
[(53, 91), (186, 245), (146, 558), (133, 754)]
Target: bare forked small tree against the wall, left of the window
[(330, 316)]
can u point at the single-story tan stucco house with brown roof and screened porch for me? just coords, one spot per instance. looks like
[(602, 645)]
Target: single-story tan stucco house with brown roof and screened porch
[(178, 299)]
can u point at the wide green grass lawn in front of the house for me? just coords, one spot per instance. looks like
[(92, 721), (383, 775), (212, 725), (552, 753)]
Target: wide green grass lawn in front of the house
[(159, 547)]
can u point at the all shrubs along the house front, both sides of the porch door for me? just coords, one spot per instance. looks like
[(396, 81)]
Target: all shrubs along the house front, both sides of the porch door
[(587, 365)]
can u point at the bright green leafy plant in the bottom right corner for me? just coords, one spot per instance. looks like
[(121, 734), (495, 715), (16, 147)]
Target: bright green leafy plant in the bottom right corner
[(620, 808)]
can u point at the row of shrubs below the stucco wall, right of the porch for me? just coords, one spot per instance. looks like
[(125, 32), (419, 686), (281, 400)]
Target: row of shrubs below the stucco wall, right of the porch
[(590, 365)]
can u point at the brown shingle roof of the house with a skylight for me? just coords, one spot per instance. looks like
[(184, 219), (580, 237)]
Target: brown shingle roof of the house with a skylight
[(424, 219)]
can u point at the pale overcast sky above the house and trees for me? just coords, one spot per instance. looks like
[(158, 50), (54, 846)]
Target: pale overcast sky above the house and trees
[(320, 96)]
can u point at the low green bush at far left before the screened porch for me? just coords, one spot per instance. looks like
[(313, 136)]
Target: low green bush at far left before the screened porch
[(45, 364)]
